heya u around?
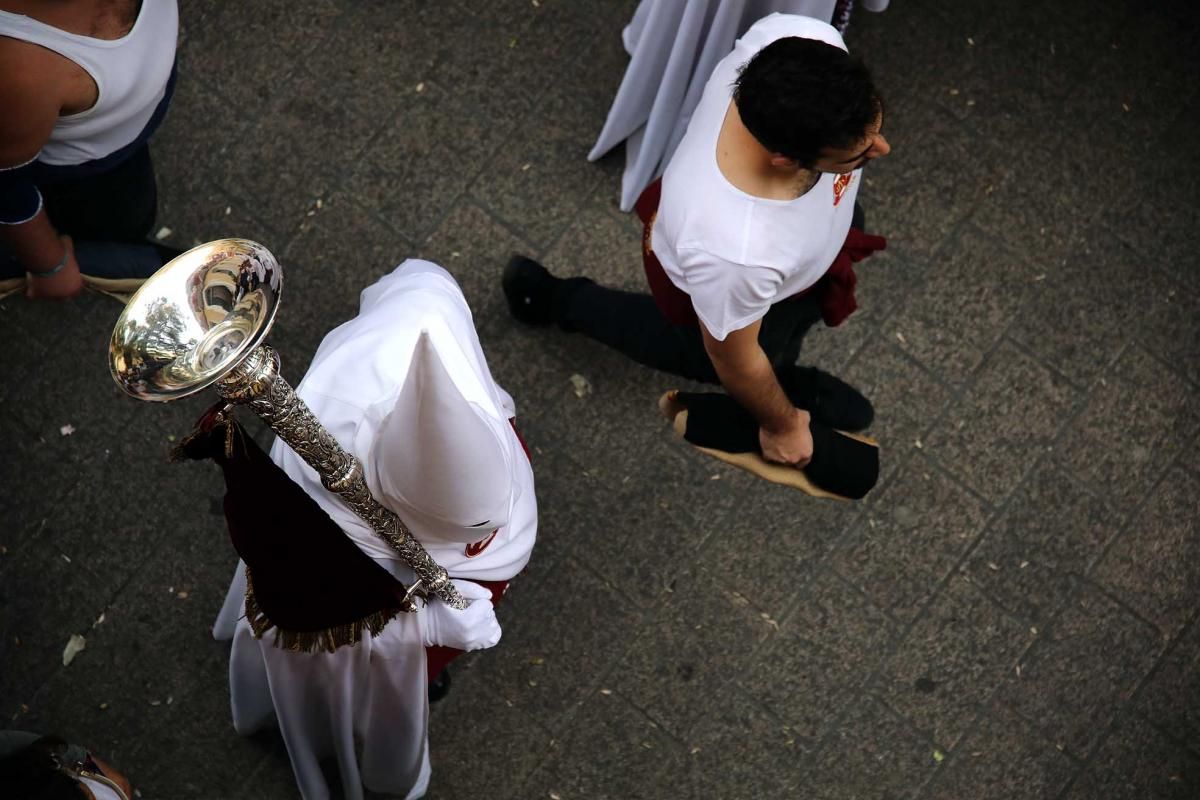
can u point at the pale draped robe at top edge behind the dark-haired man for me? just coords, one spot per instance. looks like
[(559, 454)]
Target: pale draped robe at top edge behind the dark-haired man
[(674, 47)]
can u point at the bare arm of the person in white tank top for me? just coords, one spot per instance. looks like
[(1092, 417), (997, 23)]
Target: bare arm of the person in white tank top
[(32, 109)]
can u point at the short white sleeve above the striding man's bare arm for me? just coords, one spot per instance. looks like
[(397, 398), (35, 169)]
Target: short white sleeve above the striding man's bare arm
[(727, 296)]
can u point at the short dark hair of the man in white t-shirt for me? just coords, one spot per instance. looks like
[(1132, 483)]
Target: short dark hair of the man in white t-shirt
[(799, 97)]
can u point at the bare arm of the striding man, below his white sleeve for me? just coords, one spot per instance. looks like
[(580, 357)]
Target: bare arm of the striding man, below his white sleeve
[(747, 375)]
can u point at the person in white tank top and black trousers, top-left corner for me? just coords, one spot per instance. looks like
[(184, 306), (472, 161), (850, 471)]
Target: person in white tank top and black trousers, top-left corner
[(87, 83)]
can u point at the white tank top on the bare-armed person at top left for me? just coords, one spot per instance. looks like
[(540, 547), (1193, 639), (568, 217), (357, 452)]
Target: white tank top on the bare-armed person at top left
[(131, 76)]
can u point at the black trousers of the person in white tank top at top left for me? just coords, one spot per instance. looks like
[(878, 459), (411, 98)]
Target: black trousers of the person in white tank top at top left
[(116, 206)]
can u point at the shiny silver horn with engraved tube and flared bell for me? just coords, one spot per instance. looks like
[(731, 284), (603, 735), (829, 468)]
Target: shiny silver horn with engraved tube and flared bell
[(200, 322)]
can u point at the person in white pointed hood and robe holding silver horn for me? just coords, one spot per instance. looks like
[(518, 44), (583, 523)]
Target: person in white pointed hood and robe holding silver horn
[(406, 389)]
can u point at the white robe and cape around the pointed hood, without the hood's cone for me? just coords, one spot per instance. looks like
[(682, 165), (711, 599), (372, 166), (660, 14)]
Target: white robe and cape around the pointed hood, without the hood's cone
[(374, 693)]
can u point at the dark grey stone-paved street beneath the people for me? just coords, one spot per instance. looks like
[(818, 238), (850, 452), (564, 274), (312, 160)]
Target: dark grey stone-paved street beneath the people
[(1012, 615)]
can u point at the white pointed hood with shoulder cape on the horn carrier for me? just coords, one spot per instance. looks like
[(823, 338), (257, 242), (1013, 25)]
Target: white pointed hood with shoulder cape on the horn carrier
[(405, 387)]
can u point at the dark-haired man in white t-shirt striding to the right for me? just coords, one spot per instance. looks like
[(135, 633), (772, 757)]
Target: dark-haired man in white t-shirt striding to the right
[(757, 206)]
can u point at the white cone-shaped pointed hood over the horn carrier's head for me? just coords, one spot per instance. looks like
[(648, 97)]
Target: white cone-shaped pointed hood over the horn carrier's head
[(439, 460)]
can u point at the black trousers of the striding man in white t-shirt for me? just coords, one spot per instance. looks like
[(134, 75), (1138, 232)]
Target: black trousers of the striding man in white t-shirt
[(633, 324)]
